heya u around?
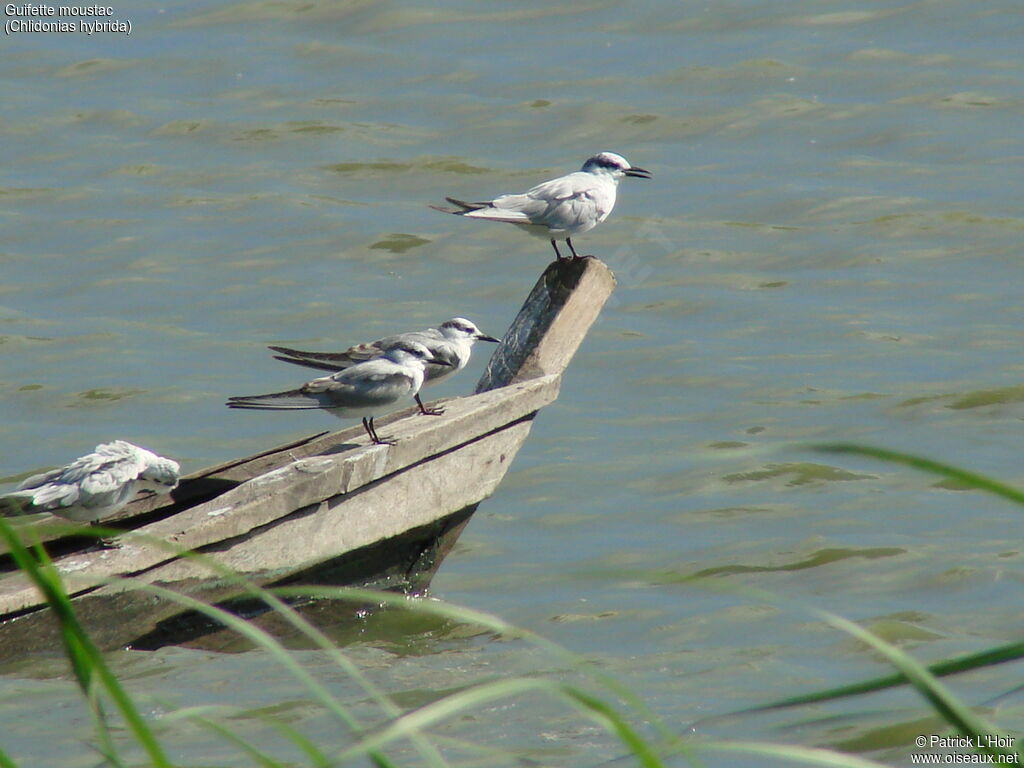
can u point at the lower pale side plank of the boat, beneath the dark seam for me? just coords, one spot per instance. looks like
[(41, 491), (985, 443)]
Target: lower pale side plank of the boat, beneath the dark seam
[(421, 495)]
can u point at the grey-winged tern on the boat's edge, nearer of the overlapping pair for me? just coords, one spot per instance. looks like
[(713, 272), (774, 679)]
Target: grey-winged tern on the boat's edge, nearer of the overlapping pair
[(366, 390)]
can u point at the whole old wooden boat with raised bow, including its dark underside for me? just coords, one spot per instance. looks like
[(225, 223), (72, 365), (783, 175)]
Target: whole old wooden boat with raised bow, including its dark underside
[(329, 509)]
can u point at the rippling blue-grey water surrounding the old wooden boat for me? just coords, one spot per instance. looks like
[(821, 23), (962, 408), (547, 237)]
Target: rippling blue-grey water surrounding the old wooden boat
[(829, 250)]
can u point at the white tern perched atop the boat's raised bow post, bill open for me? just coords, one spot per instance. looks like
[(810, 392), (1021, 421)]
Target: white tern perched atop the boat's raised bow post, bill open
[(562, 208)]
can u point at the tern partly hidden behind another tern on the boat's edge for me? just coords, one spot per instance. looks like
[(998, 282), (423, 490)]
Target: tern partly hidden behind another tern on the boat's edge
[(452, 343)]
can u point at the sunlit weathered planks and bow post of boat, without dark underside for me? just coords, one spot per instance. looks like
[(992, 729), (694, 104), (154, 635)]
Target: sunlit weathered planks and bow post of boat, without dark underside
[(279, 513)]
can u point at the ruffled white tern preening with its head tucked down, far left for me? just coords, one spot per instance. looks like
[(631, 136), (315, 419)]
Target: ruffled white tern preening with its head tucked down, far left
[(96, 486)]
